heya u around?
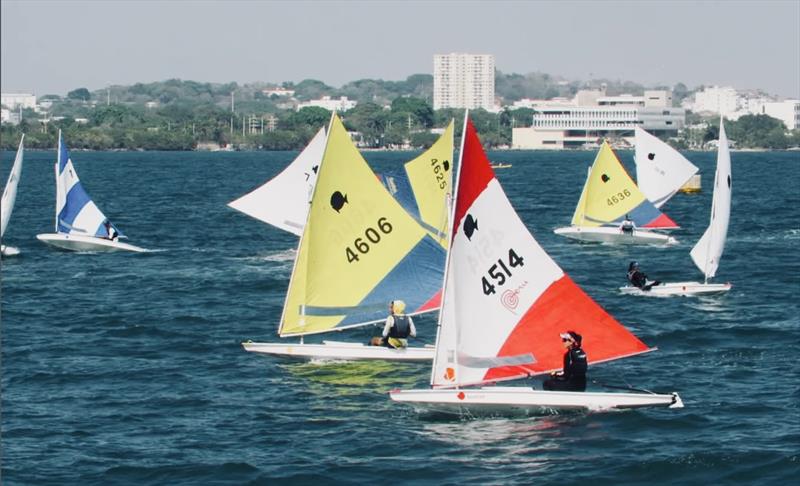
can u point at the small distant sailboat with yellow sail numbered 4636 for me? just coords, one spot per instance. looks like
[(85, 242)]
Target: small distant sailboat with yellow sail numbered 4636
[(610, 196)]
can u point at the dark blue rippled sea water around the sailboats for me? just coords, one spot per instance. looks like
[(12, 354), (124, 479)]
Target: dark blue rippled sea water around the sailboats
[(128, 369)]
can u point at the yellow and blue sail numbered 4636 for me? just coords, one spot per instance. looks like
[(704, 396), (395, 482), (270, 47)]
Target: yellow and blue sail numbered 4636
[(610, 194)]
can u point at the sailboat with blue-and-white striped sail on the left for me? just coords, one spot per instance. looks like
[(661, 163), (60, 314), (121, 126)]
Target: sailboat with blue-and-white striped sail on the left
[(80, 225)]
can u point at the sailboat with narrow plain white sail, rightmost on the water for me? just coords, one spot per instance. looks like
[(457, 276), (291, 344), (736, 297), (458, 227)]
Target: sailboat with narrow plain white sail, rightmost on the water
[(708, 250)]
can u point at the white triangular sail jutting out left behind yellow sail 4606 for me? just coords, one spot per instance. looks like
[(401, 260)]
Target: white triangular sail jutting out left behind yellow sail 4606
[(284, 200)]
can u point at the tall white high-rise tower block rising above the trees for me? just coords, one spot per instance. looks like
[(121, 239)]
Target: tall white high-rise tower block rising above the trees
[(463, 81)]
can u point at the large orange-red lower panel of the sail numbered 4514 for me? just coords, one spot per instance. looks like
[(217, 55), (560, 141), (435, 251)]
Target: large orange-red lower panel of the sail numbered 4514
[(564, 307)]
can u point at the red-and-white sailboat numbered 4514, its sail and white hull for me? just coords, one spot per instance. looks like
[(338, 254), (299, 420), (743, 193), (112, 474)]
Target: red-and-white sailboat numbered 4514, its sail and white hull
[(505, 303)]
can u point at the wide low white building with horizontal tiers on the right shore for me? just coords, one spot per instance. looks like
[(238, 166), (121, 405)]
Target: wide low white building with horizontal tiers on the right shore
[(591, 116)]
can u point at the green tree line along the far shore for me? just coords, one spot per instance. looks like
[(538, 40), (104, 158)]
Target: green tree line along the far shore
[(177, 115)]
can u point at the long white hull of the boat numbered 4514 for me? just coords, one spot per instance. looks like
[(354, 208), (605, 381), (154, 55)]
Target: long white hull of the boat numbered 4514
[(526, 401)]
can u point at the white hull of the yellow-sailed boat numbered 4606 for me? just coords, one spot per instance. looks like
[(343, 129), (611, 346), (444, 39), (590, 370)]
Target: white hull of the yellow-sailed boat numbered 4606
[(340, 351)]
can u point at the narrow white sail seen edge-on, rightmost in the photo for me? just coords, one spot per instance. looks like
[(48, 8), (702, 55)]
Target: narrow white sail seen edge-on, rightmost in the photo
[(707, 252)]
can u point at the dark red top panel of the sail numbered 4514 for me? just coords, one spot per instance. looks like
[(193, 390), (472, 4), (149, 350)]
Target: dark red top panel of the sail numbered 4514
[(475, 174)]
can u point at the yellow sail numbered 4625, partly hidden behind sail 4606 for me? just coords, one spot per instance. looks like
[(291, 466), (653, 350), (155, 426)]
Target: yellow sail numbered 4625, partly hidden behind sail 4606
[(431, 179)]
